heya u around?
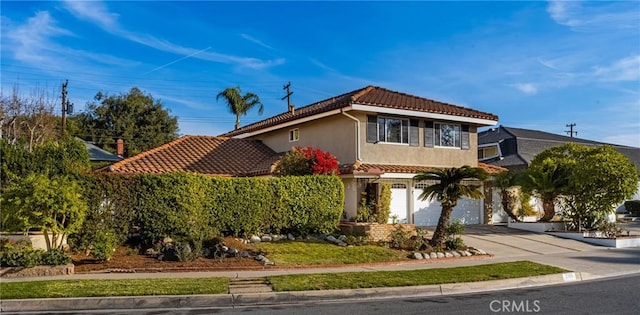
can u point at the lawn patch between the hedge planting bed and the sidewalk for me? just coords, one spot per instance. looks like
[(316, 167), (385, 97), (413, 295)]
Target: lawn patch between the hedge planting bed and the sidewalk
[(322, 253)]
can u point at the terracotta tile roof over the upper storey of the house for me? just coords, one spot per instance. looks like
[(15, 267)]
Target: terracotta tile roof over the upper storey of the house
[(370, 95)]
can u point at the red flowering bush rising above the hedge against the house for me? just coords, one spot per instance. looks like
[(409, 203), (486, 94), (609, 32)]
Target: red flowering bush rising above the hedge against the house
[(307, 161)]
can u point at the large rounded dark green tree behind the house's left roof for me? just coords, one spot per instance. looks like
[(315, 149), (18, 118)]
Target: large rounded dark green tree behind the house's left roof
[(137, 118)]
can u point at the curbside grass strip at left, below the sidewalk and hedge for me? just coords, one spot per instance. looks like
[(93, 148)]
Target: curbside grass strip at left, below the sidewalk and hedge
[(120, 287)]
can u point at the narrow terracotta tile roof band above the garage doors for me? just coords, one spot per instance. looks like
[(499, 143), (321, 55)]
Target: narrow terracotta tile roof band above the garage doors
[(378, 169)]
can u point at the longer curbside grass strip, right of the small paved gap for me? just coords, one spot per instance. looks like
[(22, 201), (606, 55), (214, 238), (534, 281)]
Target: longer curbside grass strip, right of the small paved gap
[(355, 280)]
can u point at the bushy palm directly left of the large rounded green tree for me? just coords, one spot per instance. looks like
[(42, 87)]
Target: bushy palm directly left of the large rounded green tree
[(548, 182)]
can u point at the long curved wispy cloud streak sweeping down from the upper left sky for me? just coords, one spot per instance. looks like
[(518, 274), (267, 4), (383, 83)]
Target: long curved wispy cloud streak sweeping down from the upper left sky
[(96, 12)]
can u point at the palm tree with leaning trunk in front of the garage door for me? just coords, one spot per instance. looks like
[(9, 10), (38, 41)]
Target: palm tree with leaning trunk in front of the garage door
[(448, 191)]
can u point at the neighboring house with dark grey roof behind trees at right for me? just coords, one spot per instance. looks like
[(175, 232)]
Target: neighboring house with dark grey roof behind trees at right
[(514, 148)]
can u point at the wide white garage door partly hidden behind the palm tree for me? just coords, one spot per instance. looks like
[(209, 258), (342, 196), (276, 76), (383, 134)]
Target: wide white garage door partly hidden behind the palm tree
[(468, 211)]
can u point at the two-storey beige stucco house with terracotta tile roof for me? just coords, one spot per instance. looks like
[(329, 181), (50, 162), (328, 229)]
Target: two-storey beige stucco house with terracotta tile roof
[(378, 135)]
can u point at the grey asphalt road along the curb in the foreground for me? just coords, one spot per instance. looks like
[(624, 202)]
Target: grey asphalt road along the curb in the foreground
[(608, 296)]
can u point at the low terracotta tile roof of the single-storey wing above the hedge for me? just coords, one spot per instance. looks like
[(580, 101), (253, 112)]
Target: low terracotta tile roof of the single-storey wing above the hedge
[(216, 156)]
